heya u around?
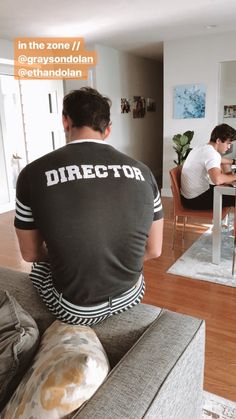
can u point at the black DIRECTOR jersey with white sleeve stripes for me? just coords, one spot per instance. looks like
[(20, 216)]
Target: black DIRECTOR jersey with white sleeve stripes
[(93, 206)]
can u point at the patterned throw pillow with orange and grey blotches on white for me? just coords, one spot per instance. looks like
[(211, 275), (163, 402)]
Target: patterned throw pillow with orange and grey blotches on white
[(67, 370)]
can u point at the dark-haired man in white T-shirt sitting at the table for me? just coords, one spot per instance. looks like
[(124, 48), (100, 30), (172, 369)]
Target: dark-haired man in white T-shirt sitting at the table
[(205, 167)]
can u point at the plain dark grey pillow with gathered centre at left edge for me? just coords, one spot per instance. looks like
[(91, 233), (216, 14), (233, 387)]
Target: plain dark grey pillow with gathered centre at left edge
[(19, 338)]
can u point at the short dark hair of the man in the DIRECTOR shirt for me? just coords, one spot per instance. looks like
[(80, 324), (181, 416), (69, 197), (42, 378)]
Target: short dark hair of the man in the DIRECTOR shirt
[(87, 107)]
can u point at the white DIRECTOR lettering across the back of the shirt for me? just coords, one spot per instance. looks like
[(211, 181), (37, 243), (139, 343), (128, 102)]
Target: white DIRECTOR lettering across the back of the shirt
[(89, 171)]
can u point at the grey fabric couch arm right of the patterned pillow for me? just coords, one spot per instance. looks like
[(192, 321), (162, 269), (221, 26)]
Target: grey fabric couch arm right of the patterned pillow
[(160, 377)]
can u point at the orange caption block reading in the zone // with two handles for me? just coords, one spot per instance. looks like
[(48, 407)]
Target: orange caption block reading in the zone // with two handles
[(52, 58)]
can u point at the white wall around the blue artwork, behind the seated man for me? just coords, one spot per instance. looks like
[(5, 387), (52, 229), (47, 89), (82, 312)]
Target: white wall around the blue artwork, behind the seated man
[(187, 61)]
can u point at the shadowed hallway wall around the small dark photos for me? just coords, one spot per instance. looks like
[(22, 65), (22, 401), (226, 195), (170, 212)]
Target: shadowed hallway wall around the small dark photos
[(118, 75)]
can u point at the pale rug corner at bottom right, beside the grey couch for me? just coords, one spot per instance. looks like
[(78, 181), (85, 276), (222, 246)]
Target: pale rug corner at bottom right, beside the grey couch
[(216, 407)]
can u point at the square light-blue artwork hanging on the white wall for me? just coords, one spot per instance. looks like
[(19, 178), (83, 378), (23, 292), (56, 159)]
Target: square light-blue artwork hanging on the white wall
[(189, 101)]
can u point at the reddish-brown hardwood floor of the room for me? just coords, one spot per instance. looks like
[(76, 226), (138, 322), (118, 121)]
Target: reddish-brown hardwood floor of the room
[(214, 303)]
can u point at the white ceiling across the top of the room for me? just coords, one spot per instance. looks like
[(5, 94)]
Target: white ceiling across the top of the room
[(135, 26)]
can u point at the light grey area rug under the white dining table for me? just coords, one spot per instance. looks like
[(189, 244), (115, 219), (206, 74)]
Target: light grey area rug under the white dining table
[(196, 262)]
